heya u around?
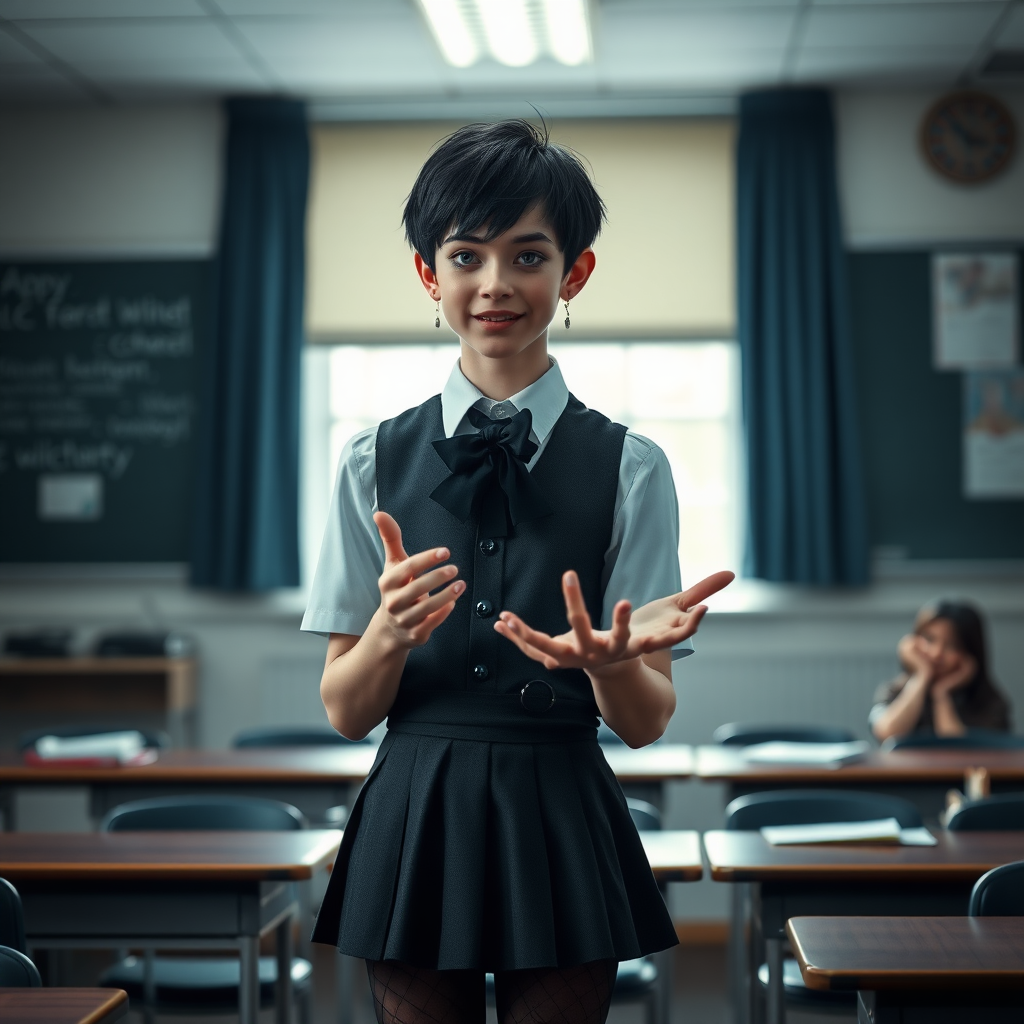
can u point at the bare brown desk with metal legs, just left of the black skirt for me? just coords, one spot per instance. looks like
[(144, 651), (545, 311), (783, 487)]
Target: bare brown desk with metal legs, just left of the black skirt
[(168, 890)]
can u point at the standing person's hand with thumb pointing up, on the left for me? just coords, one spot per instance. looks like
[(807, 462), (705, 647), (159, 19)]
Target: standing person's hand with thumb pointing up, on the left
[(410, 612)]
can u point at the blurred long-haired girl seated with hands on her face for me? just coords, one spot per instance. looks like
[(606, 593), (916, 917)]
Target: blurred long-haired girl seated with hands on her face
[(945, 688)]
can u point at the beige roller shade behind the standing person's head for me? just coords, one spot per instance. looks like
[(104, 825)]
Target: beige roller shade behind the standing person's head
[(665, 261)]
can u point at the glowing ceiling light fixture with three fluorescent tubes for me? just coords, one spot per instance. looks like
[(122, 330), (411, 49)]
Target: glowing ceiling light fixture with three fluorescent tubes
[(514, 32)]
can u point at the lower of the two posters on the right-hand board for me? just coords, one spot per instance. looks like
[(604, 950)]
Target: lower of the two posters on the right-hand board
[(994, 435)]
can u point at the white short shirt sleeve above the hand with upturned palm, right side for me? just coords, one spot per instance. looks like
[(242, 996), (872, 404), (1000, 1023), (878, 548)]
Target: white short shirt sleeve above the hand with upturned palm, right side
[(643, 563)]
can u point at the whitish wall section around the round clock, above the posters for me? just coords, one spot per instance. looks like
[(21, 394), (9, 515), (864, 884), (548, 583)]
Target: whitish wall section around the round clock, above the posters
[(891, 198)]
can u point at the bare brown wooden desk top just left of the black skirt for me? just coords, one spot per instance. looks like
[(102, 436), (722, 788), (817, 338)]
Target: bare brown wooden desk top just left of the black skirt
[(227, 857)]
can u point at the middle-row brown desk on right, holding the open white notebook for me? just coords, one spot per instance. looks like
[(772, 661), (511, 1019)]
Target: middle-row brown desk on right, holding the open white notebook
[(878, 881)]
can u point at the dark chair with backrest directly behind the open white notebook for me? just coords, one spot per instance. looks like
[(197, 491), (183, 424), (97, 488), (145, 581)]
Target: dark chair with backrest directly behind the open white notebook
[(803, 807)]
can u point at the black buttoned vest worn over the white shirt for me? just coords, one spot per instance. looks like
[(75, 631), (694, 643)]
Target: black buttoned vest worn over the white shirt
[(579, 475)]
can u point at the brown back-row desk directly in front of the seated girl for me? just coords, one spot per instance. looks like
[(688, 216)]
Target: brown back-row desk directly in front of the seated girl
[(921, 776)]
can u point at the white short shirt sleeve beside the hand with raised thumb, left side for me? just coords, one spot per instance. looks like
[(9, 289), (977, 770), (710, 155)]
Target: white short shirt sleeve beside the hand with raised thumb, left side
[(345, 593)]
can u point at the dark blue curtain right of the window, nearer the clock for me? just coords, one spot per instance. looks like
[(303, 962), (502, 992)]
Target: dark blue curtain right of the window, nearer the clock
[(805, 491)]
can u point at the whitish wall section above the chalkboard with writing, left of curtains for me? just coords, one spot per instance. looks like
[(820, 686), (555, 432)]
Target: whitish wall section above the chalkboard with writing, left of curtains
[(110, 182)]
